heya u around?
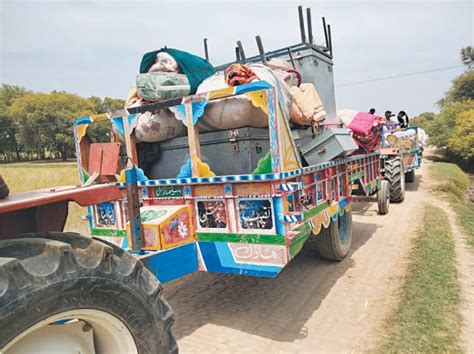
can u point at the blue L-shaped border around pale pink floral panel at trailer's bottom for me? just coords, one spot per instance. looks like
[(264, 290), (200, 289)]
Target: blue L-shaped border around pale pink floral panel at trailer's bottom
[(217, 258)]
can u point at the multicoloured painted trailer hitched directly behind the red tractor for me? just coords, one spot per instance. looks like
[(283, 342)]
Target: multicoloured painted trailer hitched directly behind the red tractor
[(249, 224)]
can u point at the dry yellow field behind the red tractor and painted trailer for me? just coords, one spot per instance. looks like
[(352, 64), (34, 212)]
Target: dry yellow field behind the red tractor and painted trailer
[(23, 177)]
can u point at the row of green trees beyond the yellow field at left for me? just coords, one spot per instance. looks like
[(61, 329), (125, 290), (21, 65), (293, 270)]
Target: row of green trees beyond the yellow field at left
[(36, 125)]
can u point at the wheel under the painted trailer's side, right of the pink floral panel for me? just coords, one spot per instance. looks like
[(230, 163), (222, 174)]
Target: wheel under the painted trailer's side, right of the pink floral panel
[(334, 242)]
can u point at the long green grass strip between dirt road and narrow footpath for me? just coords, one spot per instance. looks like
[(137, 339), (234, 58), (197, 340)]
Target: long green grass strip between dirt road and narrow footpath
[(427, 318)]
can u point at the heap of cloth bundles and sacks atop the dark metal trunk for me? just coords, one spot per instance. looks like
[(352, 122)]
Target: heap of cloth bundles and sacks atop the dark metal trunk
[(171, 73)]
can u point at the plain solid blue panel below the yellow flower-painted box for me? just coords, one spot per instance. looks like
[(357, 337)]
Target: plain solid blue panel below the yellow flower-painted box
[(173, 263)]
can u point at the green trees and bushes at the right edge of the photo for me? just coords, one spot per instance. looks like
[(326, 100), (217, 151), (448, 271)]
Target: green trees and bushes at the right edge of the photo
[(453, 128)]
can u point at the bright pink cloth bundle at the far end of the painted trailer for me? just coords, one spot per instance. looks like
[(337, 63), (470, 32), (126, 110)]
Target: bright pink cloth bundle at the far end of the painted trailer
[(366, 131)]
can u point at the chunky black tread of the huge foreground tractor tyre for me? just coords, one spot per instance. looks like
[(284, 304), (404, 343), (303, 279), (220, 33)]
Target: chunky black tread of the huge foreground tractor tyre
[(75, 255)]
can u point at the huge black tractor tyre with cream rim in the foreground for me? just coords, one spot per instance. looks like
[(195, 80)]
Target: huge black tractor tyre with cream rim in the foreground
[(62, 292)]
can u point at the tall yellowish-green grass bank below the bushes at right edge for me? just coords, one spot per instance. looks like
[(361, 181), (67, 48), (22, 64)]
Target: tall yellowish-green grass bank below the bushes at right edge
[(453, 183)]
